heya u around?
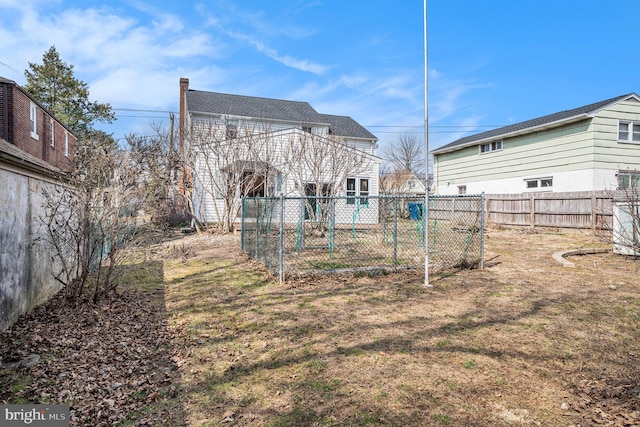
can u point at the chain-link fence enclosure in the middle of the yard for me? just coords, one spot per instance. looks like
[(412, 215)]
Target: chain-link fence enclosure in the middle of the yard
[(302, 235)]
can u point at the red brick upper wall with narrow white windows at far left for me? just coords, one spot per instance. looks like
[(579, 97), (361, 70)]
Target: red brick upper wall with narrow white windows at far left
[(18, 129)]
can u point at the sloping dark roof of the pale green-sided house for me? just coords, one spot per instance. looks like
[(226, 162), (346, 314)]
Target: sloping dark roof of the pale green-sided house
[(551, 120)]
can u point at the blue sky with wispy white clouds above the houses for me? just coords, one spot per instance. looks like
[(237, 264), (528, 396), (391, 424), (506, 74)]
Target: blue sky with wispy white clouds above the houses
[(491, 62)]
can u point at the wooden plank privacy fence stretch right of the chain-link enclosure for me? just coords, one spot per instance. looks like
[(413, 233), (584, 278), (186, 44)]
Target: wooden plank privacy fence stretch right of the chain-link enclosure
[(584, 209)]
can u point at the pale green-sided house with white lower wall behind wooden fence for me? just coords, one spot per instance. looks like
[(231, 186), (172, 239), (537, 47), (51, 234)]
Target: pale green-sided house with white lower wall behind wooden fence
[(594, 147)]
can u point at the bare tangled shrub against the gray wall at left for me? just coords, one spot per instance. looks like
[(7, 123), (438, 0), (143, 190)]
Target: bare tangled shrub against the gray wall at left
[(90, 217)]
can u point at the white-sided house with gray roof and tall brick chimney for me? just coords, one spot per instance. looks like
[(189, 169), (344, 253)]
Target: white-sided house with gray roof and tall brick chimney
[(251, 146)]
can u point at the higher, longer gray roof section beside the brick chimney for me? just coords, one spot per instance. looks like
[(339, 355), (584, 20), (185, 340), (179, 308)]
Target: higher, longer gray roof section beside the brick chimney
[(251, 106)]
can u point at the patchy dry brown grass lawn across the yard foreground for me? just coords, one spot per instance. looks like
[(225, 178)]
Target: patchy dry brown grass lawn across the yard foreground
[(523, 342)]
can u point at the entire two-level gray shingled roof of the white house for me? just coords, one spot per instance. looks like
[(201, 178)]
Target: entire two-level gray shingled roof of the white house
[(272, 109)]
